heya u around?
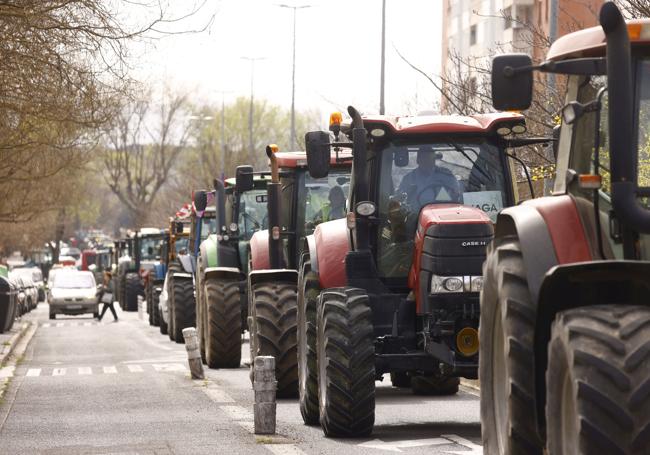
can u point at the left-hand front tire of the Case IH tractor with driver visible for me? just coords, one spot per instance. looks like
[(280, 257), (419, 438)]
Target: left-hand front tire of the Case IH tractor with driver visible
[(346, 363)]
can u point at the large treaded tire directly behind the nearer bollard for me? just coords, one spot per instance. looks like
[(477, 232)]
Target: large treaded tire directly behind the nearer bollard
[(274, 332)]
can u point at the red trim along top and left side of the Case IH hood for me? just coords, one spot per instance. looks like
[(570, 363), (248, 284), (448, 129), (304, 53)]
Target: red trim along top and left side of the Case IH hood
[(439, 214)]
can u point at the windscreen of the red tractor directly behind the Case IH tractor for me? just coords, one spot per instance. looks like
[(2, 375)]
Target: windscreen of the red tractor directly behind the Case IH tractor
[(325, 199)]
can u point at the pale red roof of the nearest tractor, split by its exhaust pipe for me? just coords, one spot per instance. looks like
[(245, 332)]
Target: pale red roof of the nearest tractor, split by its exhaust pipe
[(590, 42)]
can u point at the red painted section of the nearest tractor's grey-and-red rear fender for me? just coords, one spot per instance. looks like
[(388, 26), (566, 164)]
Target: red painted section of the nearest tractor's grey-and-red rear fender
[(565, 228)]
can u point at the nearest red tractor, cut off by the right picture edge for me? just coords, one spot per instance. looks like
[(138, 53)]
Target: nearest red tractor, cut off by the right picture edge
[(565, 307)]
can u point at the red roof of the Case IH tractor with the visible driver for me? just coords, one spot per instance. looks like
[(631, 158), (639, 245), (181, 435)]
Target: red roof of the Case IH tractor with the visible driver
[(441, 124)]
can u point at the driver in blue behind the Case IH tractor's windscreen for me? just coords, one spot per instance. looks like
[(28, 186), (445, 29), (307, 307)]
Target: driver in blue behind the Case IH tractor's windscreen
[(429, 182)]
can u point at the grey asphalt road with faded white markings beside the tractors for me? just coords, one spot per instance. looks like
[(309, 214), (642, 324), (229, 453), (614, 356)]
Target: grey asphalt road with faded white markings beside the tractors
[(85, 387)]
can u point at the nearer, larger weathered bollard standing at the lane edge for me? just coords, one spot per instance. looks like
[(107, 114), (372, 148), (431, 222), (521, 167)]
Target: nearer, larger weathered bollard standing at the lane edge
[(264, 386)]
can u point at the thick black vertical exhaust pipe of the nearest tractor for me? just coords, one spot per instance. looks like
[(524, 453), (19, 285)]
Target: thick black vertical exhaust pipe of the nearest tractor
[(624, 157)]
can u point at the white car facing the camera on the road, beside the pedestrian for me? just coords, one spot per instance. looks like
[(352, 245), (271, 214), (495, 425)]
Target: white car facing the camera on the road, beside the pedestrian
[(73, 292)]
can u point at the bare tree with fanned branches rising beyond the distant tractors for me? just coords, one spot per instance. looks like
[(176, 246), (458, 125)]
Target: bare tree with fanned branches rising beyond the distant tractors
[(138, 158)]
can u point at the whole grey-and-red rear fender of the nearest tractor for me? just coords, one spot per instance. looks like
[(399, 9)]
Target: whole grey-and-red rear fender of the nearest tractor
[(550, 232)]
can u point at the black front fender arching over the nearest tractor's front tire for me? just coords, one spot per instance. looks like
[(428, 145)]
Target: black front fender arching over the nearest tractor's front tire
[(583, 284)]
